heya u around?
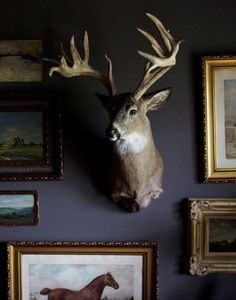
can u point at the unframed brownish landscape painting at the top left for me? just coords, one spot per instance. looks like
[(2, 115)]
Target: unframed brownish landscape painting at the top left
[(21, 60)]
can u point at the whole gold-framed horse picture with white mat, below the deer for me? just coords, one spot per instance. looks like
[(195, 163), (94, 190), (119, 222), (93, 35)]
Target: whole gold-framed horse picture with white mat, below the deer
[(73, 270)]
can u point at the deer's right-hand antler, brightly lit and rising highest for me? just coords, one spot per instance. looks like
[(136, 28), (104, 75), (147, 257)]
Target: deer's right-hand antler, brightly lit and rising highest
[(158, 65)]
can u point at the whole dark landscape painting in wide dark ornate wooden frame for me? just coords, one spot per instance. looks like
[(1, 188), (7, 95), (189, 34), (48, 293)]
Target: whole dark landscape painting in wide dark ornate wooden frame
[(30, 137)]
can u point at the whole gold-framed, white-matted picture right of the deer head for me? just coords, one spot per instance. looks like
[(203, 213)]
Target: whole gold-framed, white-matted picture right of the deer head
[(219, 83)]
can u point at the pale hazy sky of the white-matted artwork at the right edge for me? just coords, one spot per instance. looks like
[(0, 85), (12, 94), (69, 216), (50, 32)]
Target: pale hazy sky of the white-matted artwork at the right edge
[(230, 98)]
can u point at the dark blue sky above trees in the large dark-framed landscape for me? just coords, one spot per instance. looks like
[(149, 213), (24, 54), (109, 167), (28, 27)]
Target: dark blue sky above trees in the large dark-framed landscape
[(26, 125)]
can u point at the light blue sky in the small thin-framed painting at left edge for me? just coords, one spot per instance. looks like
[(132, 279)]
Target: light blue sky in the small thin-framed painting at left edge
[(16, 201)]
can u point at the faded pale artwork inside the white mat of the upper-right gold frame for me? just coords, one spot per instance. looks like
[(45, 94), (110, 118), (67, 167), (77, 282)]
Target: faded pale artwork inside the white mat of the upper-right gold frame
[(230, 118)]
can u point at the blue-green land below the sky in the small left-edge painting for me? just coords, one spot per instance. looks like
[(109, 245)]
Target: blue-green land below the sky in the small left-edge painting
[(24, 214)]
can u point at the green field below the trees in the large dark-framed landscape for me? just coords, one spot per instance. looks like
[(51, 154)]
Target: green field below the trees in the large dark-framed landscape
[(21, 152)]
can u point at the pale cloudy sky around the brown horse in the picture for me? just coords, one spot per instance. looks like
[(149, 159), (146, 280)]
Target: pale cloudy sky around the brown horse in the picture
[(76, 277)]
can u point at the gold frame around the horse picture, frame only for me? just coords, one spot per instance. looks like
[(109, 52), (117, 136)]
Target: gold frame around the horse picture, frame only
[(148, 252)]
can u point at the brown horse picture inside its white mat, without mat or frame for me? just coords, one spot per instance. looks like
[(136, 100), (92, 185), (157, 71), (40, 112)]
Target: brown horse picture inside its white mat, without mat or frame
[(111, 282)]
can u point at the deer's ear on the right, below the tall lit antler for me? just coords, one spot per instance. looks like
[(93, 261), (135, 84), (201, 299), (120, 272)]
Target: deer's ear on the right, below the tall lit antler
[(155, 100)]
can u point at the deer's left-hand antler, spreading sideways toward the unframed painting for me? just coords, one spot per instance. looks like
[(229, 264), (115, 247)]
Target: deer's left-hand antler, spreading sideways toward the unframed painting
[(81, 67)]
